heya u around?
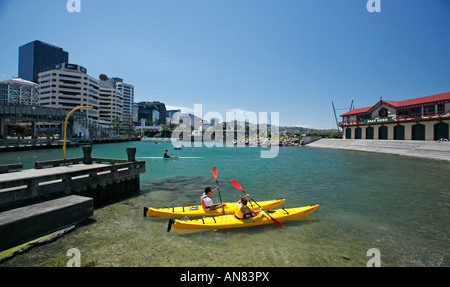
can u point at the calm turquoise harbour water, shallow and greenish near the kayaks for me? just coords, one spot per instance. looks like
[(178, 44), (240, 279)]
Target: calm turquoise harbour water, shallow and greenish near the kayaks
[(399, 205)]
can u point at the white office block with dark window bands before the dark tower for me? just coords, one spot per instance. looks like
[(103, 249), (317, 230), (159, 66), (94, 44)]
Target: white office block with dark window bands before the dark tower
[(68, 86)]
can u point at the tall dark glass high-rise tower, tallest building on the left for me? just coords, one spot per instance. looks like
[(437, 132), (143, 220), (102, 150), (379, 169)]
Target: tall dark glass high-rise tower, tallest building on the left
[(37, 57)]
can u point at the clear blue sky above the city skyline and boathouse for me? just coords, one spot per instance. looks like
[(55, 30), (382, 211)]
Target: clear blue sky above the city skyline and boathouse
[(289, 56)]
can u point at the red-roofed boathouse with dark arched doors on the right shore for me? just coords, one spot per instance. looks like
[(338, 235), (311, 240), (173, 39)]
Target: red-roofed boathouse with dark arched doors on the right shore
[(424, 118)]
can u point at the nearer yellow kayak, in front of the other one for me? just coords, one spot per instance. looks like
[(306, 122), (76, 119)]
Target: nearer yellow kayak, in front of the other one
[(230, 221)]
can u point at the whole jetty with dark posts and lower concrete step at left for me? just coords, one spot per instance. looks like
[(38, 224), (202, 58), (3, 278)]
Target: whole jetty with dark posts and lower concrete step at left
[(61, 192)]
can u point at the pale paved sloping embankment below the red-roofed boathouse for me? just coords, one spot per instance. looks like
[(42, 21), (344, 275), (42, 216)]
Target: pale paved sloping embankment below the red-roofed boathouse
[(422, 149)]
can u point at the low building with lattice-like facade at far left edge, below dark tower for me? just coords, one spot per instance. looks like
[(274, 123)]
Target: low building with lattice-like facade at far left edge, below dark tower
[(19, 91)]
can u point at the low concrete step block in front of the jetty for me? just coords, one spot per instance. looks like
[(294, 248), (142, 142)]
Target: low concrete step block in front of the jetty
[(25, 223)]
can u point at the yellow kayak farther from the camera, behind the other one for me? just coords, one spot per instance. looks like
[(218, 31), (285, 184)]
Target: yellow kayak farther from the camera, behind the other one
[(197, 210)]
